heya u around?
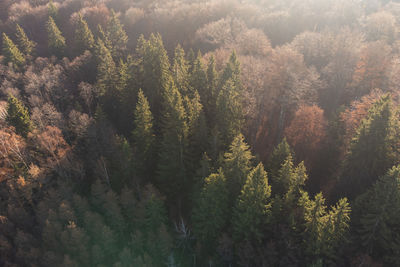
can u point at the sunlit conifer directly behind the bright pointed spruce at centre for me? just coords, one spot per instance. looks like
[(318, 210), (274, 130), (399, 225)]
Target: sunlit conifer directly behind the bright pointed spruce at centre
[(229, 113)]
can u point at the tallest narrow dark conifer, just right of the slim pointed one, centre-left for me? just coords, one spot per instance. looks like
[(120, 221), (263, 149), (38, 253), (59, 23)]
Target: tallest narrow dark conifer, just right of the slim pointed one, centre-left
[(171, 165)]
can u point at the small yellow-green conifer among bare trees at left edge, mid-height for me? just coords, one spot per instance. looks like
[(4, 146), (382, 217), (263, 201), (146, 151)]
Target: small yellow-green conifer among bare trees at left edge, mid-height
[(18, 116)]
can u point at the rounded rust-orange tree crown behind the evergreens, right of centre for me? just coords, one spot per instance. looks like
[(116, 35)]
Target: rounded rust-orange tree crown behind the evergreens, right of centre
[(306, 131)]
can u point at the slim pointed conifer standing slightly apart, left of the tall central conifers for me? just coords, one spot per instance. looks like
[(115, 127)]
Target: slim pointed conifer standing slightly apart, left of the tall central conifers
[(143, 136)]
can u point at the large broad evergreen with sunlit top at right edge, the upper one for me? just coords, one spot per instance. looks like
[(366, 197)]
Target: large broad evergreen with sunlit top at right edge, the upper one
[(373, 150)]
